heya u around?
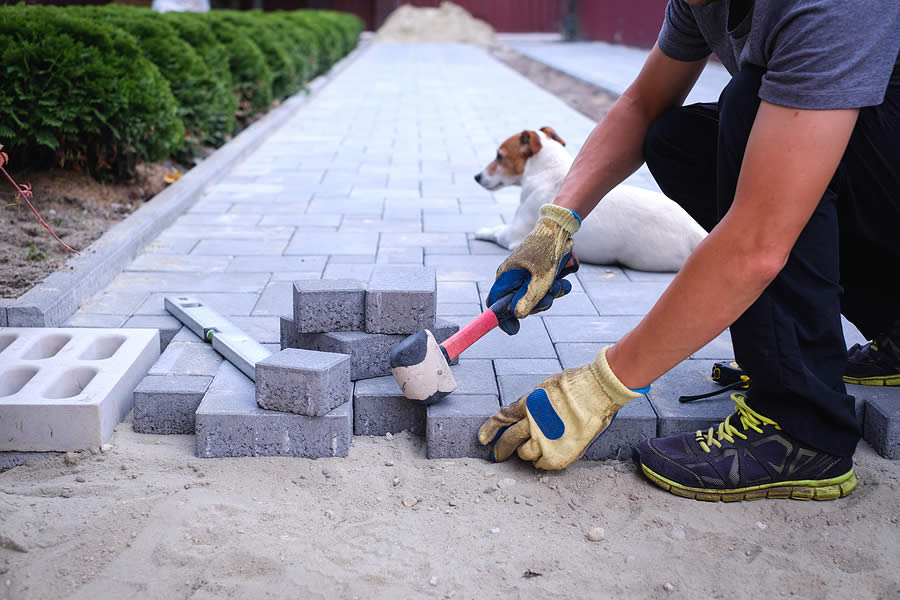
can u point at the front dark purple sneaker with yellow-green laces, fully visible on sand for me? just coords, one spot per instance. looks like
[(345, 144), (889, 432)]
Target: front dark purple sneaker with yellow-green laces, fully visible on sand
[(746, 457)]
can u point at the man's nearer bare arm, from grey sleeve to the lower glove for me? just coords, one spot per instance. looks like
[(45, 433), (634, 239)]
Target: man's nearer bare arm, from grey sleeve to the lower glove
[(790, 158)]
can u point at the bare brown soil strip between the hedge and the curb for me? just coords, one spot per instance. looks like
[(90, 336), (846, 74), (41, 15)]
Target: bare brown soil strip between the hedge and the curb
[(79, 208)]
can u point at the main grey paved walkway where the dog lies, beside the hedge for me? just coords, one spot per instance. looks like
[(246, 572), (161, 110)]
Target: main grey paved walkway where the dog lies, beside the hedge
[(378, 168)]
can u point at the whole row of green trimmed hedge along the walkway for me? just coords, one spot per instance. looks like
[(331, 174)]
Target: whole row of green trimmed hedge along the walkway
[(105, 87)]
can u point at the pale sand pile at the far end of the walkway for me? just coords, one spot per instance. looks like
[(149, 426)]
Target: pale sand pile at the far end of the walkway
[(449, 23)]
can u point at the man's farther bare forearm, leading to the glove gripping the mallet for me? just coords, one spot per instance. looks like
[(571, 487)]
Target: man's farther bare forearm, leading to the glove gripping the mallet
[(613, 151)]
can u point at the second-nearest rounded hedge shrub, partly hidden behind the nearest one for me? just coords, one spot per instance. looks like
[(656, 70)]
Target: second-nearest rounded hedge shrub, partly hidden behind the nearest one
[(189, 77)]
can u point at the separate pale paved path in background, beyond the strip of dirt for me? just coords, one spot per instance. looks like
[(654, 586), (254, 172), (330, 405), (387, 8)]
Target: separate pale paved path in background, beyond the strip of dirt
[(614, 67)]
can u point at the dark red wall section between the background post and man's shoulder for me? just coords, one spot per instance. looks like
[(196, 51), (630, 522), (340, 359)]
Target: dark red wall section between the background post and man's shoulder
[(629, 22)]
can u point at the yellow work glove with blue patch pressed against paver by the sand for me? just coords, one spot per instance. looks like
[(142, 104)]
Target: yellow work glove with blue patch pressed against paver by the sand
[(554, 424)]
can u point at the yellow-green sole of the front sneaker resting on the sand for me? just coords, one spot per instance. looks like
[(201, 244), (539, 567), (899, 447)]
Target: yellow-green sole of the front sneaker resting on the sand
[(824, 489)]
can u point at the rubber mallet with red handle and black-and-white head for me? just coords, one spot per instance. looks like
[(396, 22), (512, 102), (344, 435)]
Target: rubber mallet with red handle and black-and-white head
[(421, 366)]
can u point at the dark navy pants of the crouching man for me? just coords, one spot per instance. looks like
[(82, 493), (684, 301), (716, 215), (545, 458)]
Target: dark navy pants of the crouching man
[(790, 340)]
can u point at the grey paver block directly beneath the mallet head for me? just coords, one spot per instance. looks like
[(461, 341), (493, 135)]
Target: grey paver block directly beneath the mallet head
[(379, 407)]
